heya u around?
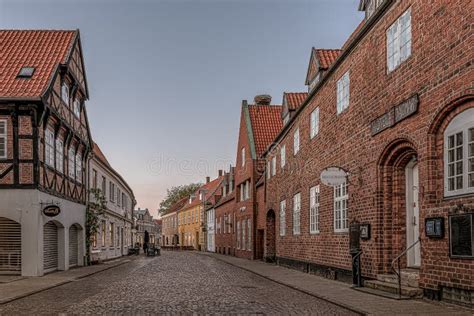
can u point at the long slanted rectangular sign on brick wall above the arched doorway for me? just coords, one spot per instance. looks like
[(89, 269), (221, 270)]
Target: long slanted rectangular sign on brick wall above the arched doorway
[(396, 114)]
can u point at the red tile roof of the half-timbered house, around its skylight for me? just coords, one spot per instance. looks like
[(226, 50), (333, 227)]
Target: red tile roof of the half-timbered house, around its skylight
[(44, 50)]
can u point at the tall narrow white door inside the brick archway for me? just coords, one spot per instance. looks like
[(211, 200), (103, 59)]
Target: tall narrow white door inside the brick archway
[(413, 215)]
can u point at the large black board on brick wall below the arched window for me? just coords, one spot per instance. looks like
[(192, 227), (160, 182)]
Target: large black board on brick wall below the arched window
[(461, 233)]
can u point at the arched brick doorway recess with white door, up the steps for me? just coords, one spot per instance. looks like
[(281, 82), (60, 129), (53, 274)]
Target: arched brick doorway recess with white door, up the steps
[(399, 203)]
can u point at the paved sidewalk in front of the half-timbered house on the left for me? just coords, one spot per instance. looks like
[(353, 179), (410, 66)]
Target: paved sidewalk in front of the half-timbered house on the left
[(15, 287)]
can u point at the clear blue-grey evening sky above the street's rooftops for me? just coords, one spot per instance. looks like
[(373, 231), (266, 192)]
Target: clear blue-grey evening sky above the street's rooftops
[(167, 77)]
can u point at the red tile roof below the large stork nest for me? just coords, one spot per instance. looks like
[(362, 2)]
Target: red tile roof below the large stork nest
[(266, 124)]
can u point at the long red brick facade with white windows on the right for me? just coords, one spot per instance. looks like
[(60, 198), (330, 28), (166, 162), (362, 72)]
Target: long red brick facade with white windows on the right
[(439, 71)]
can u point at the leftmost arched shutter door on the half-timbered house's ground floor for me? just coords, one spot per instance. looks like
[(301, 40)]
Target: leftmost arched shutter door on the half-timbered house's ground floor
[(10, 246)]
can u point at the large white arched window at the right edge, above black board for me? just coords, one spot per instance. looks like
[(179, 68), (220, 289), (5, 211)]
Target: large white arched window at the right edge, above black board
[(459, 155)]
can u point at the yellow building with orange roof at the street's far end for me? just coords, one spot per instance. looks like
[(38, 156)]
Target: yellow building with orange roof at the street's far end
[(191, 215)]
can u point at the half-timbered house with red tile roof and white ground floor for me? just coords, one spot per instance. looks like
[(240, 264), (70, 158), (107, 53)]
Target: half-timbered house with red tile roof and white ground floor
[(44, 142)]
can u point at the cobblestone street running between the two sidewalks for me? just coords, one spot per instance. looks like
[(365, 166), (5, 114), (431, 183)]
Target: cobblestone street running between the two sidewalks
[(176, 282)]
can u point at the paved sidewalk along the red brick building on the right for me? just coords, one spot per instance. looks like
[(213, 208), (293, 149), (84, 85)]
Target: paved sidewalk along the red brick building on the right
[(341, 293)]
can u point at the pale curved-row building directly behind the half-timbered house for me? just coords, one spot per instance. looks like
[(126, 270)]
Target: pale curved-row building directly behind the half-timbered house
[(114, 236)]
